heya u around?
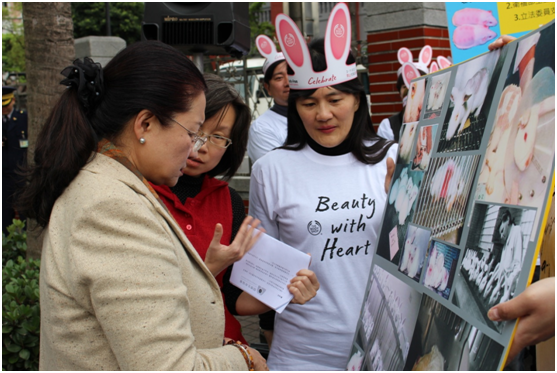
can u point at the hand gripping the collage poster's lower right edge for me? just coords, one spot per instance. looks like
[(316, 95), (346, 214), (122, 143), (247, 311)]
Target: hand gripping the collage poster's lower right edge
[(536, 309)]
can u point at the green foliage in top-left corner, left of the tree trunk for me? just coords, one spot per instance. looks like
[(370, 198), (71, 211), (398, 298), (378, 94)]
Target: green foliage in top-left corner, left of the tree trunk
[(13, 42)]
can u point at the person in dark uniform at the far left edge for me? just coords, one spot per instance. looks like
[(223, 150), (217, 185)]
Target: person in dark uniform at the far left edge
[(14, 153)]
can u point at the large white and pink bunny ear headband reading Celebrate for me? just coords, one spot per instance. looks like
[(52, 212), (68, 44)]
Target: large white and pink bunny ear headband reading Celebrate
[(337, 47)]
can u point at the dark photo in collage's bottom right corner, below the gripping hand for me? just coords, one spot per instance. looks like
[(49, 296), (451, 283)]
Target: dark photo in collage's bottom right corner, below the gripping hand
[(443, 341)]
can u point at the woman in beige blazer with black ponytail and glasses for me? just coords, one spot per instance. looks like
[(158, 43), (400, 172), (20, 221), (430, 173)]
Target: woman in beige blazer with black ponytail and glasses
[(121, 286)]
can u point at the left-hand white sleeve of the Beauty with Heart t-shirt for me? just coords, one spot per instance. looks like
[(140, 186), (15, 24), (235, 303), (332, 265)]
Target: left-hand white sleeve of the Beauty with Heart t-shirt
[(262, 200)]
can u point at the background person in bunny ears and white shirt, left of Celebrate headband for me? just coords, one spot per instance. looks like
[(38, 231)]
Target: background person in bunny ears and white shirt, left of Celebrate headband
[(268, 131)]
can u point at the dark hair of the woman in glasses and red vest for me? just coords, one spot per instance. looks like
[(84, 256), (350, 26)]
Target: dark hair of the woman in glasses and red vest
[(221, 94)]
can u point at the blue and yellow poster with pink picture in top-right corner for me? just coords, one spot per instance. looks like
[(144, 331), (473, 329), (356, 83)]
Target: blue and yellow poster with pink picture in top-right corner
[(472, 26)]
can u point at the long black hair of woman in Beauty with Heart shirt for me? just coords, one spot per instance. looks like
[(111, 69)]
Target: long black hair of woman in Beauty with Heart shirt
[(361, 133)]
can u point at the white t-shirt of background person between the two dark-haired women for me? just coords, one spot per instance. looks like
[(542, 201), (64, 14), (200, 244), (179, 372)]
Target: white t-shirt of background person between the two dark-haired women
[(266, 133)]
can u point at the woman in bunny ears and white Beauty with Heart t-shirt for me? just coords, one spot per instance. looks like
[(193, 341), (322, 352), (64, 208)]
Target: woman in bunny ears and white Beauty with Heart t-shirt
[(323, 193)]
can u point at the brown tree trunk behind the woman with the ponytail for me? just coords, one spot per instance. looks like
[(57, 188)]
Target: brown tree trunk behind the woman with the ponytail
[(49, 47)]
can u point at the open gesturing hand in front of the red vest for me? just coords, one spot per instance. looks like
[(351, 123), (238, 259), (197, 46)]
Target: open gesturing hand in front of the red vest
[(220, 256)]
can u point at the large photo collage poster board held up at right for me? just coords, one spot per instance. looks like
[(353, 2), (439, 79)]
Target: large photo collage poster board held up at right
[(465, 214)]
